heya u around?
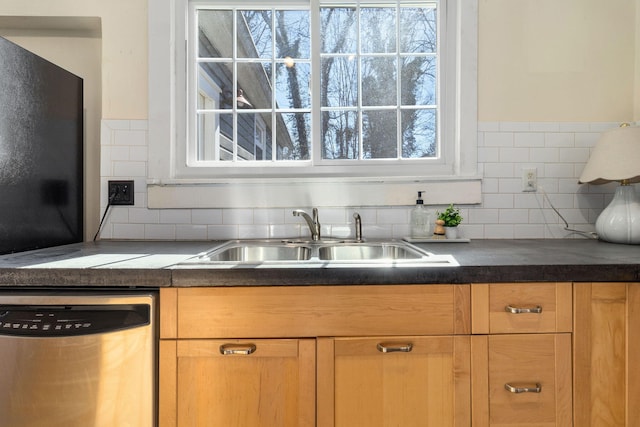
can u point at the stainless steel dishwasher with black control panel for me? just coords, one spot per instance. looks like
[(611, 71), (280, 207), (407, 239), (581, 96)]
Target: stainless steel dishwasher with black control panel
[(77, 359)]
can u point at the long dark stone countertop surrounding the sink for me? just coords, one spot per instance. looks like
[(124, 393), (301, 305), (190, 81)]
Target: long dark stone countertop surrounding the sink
[(149, 264)]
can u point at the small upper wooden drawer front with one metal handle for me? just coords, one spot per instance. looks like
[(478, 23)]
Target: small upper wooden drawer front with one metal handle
[(511, 308)]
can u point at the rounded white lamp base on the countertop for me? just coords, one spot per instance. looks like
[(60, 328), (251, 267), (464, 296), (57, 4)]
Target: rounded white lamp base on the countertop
[(620, 221)]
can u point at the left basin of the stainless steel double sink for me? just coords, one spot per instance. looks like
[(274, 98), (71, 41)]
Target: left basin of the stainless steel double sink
[(257, 252)]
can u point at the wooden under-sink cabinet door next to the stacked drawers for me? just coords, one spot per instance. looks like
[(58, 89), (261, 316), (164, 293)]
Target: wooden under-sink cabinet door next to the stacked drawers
[(394, 381)]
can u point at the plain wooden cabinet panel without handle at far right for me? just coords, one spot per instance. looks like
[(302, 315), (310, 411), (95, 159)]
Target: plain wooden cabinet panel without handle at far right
[(607, 354)]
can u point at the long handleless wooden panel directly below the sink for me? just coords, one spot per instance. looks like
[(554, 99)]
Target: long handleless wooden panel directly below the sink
[(311, 311)]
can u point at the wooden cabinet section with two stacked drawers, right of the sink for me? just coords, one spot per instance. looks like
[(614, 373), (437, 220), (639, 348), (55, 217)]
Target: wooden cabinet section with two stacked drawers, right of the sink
[(521, 354)]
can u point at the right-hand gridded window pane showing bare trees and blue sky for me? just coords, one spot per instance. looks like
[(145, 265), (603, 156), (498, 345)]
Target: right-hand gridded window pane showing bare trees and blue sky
[(392, 66)]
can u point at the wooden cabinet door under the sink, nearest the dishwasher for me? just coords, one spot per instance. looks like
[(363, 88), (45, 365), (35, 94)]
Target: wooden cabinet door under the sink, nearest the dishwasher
[(259, 383)]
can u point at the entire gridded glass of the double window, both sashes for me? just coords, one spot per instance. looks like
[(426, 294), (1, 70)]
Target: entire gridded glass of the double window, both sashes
[(378, 92)]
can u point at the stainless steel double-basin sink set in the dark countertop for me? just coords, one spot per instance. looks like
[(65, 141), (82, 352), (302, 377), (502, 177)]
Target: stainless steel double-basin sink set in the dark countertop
[(308, 253)]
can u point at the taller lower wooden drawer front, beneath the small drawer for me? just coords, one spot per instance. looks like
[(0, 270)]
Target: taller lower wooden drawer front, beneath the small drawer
[(526, 361)]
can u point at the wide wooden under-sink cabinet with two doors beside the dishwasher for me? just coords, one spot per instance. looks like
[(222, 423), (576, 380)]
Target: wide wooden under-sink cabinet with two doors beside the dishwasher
[(390, 355)]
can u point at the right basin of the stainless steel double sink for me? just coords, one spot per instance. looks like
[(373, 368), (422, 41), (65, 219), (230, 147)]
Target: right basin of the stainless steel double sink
[(366, 251)]
